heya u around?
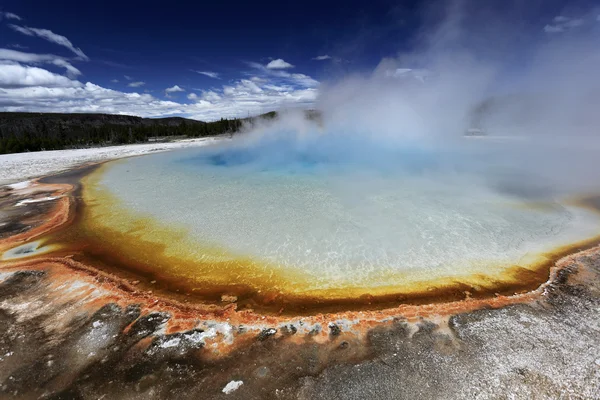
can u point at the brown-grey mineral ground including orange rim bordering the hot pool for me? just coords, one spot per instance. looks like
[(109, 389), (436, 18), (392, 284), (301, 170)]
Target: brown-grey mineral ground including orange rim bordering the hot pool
[(70, 332)]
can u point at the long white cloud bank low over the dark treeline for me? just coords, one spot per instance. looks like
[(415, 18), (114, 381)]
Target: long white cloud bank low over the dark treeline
[(26, 88)]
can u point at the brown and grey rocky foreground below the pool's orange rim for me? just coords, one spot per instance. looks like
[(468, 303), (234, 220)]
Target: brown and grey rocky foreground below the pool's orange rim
[(549, 349)]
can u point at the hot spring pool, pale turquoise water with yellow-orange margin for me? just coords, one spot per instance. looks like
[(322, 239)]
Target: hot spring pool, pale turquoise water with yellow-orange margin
[(221, 220)]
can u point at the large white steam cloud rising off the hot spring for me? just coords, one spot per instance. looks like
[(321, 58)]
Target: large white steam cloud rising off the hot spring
[(491, 67)]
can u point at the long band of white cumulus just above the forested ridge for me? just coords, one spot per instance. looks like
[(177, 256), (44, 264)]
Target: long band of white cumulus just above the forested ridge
[(238, 100)]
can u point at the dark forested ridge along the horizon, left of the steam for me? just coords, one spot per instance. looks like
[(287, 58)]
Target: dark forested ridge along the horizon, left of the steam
[(22, 132)]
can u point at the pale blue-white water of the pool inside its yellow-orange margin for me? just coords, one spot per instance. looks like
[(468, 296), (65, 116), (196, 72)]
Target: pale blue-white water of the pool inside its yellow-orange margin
[(347, 221)]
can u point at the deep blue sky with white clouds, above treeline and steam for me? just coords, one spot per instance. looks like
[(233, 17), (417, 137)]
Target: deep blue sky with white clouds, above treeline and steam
[(207, 60)]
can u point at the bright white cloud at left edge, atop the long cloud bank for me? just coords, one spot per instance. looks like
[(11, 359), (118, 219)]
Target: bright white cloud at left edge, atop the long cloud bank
[(16, 75)]
